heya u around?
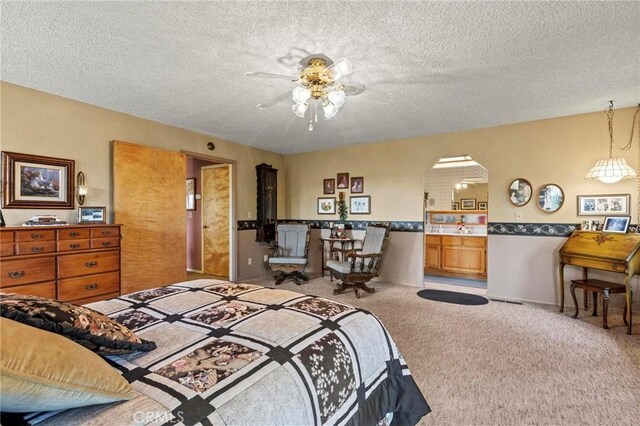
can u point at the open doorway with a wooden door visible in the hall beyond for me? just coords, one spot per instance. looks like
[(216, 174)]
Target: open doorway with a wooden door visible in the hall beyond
[(210, 213)]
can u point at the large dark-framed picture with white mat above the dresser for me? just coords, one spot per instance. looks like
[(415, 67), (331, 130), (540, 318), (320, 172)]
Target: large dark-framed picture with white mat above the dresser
[(37, 182)]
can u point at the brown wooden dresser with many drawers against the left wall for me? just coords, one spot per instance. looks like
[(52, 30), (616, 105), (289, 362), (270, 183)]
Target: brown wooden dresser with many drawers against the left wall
[(73, 263)]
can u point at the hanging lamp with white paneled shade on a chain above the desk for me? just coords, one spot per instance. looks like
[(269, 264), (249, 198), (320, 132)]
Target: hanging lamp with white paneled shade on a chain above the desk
[(612, 170)]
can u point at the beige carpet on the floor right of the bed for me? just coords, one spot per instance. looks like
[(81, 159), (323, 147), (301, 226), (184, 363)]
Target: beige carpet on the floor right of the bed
[(507, 364)]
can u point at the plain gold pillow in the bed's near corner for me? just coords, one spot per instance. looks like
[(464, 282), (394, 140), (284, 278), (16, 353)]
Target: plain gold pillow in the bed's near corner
[(42, 371)]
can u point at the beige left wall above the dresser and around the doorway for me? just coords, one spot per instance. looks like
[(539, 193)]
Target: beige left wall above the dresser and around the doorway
[(34, 122)]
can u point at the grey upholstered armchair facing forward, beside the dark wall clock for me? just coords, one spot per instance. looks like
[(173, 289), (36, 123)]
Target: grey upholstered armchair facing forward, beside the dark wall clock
[(288, 258)]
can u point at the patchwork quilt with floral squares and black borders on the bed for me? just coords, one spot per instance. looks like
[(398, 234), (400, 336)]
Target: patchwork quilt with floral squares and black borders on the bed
[(237, 354)]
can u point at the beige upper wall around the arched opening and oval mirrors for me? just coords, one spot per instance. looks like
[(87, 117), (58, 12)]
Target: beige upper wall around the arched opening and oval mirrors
[(559, 150)]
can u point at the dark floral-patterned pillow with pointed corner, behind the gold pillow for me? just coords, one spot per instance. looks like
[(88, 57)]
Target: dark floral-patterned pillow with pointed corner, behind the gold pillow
[(85, 326)]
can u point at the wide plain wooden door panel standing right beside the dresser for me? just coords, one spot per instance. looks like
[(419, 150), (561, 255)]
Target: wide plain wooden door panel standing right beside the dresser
[(148, 199)]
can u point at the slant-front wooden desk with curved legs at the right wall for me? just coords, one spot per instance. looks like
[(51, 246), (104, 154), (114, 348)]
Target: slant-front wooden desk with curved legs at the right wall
[(603, 251)]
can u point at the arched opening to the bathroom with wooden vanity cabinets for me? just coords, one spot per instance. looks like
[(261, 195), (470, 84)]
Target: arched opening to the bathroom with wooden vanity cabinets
[(456, 209)]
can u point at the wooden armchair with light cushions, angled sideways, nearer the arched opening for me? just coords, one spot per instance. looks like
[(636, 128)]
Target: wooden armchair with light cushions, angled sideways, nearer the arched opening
[(359, 266)]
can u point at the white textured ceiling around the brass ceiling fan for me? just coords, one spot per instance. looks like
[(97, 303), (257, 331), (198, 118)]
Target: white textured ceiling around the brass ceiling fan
[(447, 65)]
